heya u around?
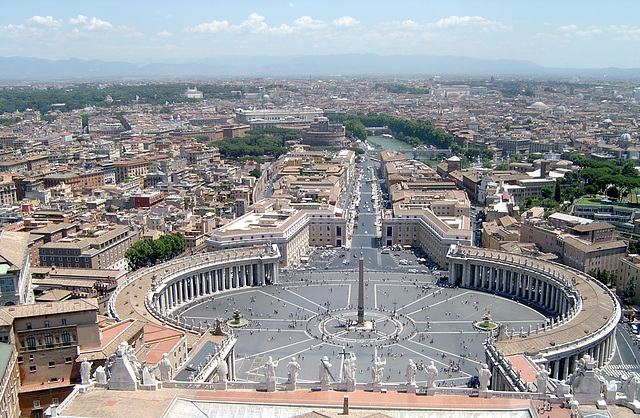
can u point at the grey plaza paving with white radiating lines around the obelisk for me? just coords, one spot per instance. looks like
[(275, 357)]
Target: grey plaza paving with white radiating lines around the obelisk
[(306, 317)]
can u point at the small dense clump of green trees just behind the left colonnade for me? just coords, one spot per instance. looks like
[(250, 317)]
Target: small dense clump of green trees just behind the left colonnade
[(148, 252)]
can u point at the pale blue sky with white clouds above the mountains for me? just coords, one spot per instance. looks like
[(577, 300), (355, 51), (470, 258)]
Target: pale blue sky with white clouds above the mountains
[(560, 33)]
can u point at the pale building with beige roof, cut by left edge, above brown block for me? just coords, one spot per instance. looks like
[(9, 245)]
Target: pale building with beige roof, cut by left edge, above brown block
[(15, 270)]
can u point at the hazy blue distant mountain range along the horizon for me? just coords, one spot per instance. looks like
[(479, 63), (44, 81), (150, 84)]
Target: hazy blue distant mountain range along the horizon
[(18, 69)]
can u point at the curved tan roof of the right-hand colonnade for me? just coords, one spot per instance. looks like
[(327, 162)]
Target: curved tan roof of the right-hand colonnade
[(598, 307)]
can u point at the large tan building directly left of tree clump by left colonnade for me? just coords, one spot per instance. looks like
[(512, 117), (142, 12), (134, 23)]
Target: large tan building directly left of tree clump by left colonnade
[(104, 250)]
